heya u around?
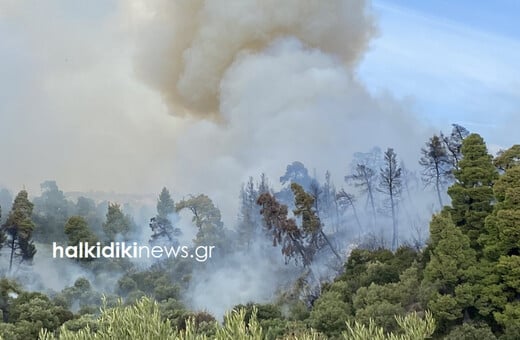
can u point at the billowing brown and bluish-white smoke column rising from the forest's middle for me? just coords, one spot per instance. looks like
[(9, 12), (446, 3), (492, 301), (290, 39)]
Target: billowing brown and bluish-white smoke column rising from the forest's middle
[(259, 84)]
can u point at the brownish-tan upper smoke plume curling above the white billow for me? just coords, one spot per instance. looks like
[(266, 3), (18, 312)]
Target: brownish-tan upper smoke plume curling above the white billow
[(191, 43)]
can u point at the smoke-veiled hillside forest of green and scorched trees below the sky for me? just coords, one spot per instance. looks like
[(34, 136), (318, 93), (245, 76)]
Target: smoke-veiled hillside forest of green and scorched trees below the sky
[(354, 264)]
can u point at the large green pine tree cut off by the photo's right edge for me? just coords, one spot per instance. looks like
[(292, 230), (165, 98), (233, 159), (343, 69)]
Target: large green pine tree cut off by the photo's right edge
[(498, 286)]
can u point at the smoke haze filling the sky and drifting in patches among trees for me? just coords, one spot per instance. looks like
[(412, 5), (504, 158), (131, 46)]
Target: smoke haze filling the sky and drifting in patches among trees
[(196, 96)]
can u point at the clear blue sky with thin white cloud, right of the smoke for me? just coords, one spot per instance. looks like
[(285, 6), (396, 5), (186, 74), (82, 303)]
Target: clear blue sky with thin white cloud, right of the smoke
[(455, 59)]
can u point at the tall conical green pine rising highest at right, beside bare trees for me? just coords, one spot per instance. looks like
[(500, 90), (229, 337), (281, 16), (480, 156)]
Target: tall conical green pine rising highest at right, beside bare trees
[(472, 193)]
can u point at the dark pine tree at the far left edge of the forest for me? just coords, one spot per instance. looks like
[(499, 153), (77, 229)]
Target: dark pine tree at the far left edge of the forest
[(19, 228)]
